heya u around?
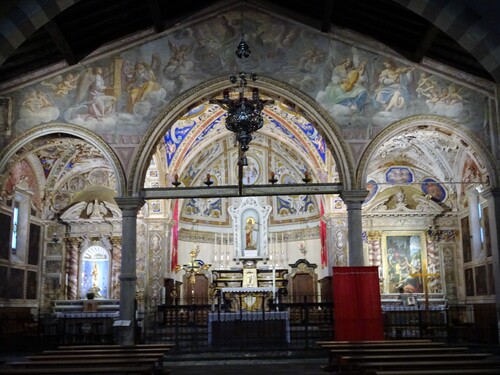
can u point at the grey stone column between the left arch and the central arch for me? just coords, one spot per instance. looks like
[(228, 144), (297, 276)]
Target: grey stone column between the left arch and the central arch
[(128, 277)]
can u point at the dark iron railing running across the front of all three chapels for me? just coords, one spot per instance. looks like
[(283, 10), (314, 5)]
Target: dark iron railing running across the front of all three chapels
[(204, 327)]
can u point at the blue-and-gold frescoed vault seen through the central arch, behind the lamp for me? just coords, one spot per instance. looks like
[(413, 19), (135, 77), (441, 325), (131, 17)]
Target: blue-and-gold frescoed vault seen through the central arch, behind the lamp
[(198, 145)]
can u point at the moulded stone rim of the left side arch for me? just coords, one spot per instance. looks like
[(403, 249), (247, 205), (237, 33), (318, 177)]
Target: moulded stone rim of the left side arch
[(73, 130)]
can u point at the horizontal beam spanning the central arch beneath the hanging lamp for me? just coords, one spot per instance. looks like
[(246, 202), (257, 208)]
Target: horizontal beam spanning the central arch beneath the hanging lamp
[(234, 191)]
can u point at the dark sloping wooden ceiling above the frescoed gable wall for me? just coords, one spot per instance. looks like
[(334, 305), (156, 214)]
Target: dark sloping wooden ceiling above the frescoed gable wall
[(82, 28)]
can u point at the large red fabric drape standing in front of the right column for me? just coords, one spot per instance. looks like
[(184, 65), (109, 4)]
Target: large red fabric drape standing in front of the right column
[(357, 308)]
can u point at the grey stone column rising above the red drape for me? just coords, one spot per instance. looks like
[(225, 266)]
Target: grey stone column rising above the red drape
[(354, 200)]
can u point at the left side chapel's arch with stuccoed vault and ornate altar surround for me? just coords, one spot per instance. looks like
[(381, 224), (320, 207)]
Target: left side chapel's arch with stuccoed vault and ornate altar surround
[(71, 176)]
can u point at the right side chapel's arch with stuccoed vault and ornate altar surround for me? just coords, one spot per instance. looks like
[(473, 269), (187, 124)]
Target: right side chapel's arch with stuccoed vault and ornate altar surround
[(430, 176)]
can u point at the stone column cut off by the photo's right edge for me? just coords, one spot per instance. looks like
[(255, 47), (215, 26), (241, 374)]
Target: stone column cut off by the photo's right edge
[(493, 198)]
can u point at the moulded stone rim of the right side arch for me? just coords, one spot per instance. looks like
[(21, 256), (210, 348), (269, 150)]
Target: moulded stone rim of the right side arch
[(437, 122)]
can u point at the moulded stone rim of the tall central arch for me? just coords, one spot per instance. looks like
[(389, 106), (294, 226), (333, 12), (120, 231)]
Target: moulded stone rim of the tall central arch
[(311, 110)]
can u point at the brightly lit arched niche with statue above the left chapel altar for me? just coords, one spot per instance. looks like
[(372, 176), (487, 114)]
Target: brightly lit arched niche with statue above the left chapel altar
[(95, 272)]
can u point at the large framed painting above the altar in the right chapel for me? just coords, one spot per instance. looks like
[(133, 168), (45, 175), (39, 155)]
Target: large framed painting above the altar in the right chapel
[(404, 254)]
